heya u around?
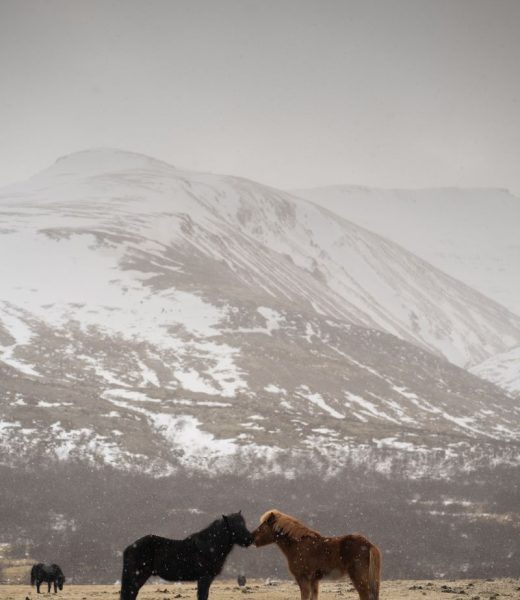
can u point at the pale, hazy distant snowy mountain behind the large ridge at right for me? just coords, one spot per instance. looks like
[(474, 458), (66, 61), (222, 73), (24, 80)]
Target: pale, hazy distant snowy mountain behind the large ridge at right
[(471, 234)]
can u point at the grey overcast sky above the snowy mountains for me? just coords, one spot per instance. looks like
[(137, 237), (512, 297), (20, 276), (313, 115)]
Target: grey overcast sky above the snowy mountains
[(288, 92)]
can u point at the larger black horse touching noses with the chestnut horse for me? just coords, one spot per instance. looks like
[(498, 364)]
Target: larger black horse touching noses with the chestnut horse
[(200, 557)]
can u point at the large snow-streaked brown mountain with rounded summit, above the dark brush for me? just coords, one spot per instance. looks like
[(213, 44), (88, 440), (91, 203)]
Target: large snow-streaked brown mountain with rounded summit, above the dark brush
[(151, 318)]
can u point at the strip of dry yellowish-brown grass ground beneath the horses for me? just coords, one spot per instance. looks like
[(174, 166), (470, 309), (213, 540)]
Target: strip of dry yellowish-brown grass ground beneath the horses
[(435, 589)]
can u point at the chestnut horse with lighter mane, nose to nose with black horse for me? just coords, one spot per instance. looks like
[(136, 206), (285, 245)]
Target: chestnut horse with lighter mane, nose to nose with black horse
[(312, 557)]
